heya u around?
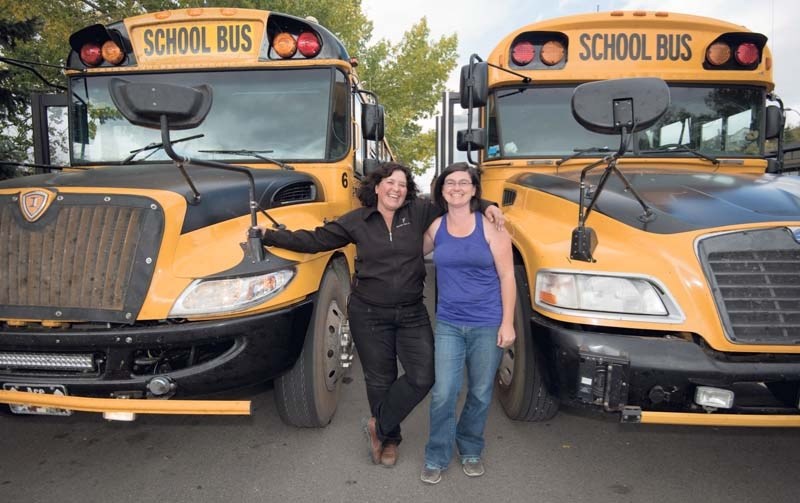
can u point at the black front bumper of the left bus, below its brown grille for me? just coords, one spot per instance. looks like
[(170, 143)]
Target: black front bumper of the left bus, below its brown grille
[(238, 352)]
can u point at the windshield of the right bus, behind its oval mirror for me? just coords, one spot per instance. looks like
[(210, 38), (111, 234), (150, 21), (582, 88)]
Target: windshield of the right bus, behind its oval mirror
[(715, 120)]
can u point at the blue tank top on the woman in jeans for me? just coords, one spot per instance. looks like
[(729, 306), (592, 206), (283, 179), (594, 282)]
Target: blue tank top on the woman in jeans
[(466, 278)]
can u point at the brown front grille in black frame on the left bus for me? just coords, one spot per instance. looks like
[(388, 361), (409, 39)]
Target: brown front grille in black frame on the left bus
[(89, 257)]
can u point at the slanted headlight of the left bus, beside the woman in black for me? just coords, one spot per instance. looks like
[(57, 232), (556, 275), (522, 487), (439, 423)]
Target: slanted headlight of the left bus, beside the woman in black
[(229, 295)]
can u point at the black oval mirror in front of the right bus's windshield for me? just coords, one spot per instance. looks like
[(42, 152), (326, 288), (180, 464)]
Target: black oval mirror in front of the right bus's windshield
[(620, 105)]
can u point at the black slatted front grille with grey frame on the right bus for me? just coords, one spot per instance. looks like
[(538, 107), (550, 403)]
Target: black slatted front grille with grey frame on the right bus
[(755, 277)]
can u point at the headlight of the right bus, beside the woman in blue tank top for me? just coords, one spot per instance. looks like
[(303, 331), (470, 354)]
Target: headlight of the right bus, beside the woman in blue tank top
[(605, 296)]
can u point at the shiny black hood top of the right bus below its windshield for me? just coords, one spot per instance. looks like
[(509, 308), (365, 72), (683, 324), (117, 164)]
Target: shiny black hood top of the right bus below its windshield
[(682, 200)]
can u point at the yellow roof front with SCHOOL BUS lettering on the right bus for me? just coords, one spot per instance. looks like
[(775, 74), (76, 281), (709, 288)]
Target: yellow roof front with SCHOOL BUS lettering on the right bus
[(620, 44)]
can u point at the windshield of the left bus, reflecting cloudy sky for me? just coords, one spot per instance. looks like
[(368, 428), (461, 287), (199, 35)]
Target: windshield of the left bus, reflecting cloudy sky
[(290, 115)]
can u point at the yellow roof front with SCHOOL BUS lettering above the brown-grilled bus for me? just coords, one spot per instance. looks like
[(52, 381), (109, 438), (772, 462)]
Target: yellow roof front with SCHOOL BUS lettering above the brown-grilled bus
[(203, 38)]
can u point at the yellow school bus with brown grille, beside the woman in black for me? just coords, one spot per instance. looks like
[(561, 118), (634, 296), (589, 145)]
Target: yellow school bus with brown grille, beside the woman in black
[(130, 274)]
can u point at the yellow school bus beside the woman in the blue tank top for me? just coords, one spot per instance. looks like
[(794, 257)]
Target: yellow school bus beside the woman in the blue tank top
[(658, 275)]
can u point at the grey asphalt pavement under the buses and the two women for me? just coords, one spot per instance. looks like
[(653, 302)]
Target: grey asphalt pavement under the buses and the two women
[(571, 458)]
